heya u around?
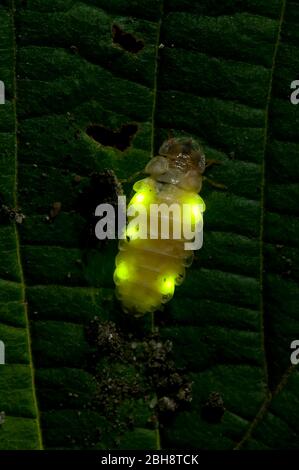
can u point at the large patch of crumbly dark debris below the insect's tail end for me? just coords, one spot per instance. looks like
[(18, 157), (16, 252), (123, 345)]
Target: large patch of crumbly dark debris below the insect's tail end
[(132, 369)]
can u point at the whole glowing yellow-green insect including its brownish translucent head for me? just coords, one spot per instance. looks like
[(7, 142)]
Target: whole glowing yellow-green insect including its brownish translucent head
[(148, 269)]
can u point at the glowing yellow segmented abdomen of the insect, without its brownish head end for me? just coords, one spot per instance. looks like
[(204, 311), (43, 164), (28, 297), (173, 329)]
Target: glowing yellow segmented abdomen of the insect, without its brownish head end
[(147, 270)]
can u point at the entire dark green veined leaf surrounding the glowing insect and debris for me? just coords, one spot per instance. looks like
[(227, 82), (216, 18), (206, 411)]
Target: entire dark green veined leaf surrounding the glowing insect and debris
[(222, 74)]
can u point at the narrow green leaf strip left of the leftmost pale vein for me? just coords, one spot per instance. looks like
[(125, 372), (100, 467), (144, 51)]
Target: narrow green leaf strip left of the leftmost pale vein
[(17, 393)]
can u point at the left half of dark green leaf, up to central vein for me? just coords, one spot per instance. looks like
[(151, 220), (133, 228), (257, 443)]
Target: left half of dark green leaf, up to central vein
[(61, 91)]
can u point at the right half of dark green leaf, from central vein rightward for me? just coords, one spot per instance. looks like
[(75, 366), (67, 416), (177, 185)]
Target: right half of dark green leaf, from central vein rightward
[(234, 318)]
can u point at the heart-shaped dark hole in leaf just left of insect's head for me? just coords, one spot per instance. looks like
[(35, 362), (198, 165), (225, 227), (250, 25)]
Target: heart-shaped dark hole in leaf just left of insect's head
[(121, 139)]
